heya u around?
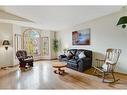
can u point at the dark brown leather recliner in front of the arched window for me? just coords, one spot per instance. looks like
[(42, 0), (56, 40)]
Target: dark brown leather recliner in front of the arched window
[(25, 61)]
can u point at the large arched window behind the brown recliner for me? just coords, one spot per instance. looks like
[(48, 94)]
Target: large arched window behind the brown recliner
[(31, 42)]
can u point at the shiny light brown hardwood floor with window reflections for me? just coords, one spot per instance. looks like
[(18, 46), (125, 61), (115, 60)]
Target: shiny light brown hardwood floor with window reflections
[(43, 77)]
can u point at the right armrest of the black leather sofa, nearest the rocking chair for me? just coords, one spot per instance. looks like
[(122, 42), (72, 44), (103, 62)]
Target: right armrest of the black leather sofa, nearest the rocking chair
[(84, 63)]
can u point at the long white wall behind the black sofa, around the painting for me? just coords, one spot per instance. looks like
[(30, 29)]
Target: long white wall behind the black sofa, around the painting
[(104, 34)]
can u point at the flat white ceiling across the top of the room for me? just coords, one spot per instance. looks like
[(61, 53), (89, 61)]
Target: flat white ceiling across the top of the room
[(60, 17)]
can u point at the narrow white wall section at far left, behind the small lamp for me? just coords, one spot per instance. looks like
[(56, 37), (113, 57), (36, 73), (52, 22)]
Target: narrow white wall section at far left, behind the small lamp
[(6, 58)]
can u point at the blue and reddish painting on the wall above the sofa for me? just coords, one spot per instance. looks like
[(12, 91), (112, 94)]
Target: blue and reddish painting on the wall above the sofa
[(81, 37)]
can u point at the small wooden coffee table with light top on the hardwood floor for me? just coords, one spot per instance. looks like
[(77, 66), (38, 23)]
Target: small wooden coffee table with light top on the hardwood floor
[(59, 66)]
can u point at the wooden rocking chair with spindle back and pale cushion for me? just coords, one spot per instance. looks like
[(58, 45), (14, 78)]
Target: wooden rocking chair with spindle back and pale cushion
[(107, 66)]
